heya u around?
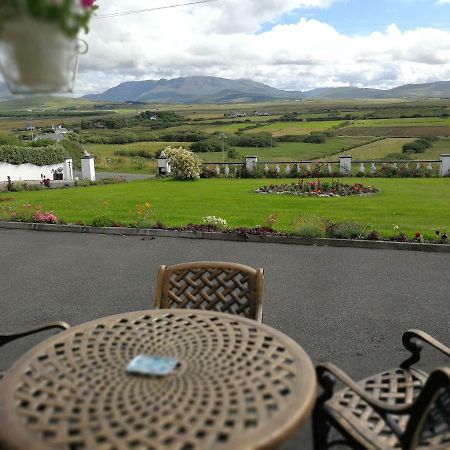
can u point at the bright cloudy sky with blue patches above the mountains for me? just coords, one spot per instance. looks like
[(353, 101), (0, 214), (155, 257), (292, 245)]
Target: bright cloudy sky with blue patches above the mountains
[(288, 44)]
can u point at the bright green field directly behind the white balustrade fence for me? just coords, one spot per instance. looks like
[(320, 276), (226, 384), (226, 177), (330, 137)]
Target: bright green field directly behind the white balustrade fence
[(291, 151)]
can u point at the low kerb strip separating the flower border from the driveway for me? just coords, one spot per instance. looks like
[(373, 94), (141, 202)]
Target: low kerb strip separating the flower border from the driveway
[(217, 236)]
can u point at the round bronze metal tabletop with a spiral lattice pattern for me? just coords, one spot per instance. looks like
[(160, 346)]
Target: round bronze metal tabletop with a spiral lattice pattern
[(238, 385)]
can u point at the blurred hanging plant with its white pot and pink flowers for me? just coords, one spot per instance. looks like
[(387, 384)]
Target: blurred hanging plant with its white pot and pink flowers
[(39, 45)]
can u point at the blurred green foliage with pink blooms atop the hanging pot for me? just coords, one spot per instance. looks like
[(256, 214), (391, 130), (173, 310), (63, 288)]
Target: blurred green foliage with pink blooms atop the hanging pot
[(69, 15)]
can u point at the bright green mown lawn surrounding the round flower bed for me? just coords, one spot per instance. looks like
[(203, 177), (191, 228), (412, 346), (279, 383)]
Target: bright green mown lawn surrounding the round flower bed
[(412, 204)]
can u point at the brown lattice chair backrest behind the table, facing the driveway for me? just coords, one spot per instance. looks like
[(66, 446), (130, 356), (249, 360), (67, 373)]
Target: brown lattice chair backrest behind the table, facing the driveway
[(209, 285)]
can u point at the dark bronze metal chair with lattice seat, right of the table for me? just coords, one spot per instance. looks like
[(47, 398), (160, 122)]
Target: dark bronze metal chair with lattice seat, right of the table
[(403, 408)]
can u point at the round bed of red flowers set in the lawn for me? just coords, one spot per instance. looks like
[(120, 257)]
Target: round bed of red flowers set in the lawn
[(318, 189)]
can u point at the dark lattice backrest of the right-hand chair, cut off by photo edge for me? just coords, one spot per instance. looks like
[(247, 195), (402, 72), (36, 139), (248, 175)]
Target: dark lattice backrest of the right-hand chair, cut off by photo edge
[(429, 425)]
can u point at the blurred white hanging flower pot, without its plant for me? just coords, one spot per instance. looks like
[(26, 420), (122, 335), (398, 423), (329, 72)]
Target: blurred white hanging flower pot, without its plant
[(37, 57)]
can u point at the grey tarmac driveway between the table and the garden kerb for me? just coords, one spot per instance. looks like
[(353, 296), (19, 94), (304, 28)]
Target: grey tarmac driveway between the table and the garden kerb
[(346, 305)]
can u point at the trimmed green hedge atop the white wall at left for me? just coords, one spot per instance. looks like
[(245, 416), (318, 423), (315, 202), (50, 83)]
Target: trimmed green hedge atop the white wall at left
[(40, 156)]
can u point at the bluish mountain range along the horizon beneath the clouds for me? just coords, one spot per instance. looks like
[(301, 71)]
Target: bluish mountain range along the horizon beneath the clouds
[(199, 89)]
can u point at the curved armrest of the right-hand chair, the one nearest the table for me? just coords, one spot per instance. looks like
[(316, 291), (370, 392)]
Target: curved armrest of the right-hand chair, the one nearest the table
[(379, 406)]
